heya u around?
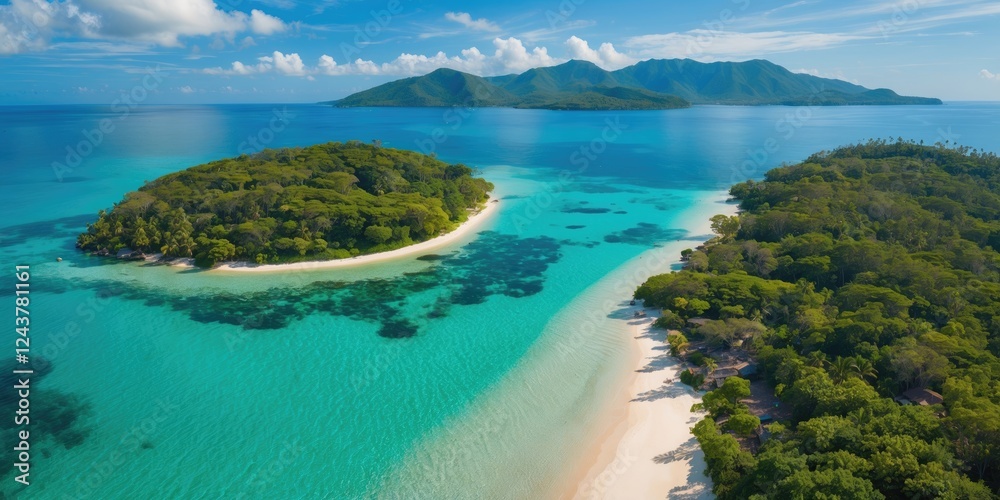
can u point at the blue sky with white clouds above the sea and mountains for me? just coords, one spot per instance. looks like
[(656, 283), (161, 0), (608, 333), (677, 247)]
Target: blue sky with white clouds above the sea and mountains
[(200, 51)]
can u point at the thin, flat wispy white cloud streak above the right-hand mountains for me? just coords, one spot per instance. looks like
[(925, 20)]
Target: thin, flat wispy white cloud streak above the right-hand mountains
[(713, 45)]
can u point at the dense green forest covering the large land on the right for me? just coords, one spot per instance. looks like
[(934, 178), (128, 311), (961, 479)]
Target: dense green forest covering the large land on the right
[(863, 286)]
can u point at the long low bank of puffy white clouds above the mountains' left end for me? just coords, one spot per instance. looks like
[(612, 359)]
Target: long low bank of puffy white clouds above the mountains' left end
[(509, 56)]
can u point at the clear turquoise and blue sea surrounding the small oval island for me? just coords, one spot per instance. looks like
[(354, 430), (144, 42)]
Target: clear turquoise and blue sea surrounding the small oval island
[(170, 383)]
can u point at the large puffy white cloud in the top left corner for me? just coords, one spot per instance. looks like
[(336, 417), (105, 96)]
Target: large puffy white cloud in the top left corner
[(27, 25)]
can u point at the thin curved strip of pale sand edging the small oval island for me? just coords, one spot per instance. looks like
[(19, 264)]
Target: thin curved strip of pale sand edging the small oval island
[(465, 229)]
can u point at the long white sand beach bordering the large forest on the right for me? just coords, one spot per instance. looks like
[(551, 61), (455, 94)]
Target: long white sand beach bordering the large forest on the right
[(645, 449)]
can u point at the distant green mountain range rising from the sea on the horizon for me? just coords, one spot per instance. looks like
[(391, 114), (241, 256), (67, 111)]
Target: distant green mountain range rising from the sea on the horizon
[(652, 84)]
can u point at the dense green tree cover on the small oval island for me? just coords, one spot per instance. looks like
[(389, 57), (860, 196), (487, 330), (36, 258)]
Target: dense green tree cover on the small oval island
[(328, 201)]
